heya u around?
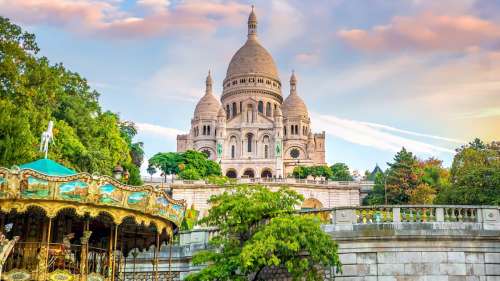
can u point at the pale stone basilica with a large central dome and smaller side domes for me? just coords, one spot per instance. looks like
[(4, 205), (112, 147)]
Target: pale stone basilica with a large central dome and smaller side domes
[(252, 131)]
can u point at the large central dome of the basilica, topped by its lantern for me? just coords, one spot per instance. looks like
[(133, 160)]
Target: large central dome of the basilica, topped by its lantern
[(252, 58)]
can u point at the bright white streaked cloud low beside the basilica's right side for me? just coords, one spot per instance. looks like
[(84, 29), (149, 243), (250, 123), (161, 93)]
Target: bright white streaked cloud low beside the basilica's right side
[(378, 136)]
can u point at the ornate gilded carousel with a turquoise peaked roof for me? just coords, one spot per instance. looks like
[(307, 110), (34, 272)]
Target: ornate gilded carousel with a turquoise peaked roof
[(56, 224)]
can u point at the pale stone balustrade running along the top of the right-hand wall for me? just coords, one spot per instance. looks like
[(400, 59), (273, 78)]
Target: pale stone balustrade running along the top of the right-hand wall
[(409, 214)]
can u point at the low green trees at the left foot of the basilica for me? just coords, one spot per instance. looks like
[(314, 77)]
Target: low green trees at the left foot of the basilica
[(190, 165)]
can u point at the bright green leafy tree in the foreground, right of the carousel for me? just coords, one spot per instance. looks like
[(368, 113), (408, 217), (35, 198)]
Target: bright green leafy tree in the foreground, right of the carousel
[(257, 230)]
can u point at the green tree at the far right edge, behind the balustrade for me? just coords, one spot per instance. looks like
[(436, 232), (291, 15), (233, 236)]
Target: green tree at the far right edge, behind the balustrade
[(475, 175)]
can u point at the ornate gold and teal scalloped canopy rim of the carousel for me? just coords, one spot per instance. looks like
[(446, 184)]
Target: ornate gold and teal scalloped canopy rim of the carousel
[(88, 194)]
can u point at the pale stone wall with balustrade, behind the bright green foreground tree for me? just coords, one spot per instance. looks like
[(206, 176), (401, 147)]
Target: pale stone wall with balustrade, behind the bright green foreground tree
[(400, 243)]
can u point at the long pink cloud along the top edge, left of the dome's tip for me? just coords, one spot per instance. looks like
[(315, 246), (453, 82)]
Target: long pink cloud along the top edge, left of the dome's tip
[(106, 18)]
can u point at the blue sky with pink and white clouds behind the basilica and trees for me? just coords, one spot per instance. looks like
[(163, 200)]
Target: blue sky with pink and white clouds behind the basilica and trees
[(376, 75)]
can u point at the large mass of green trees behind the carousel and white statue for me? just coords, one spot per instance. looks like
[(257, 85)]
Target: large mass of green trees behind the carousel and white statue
[(33, 92)]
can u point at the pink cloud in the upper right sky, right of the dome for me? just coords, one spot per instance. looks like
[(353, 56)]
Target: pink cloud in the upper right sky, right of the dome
[(425, 32)]
